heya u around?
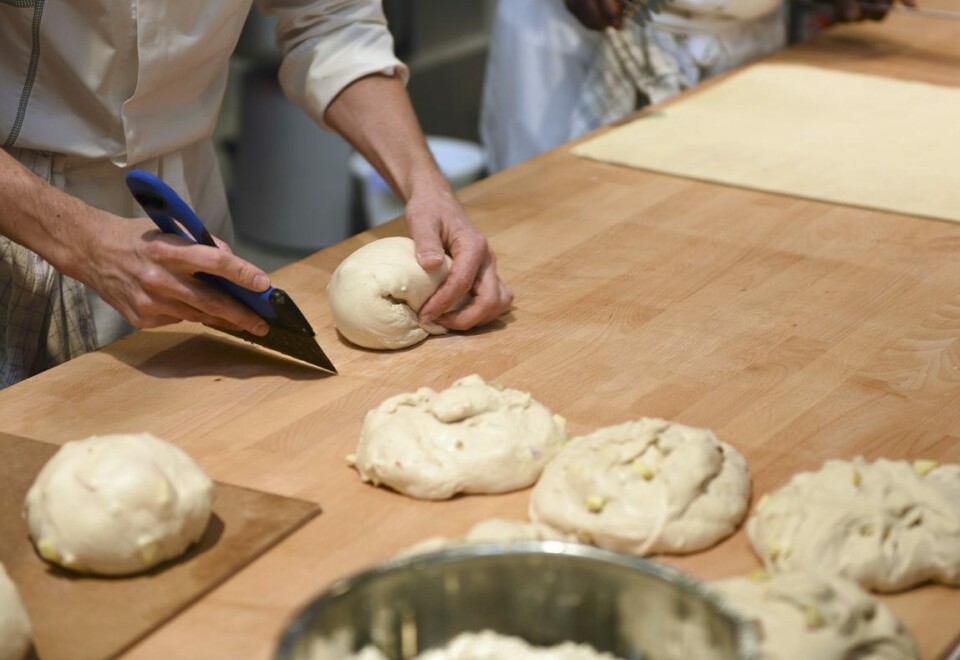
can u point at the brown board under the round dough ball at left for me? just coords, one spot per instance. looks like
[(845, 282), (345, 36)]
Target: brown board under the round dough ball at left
[(80, 617)]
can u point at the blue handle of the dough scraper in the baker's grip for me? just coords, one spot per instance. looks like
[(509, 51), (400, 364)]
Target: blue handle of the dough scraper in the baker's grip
[(166, 208)]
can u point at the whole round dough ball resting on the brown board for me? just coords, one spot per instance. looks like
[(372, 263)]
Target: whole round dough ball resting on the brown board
[(117, 504)]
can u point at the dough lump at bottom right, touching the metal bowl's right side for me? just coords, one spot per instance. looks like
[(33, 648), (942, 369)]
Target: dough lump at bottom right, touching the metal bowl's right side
[(804, 615)]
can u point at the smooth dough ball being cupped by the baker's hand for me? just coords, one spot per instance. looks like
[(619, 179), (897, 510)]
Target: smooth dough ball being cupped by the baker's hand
[(376, 293)]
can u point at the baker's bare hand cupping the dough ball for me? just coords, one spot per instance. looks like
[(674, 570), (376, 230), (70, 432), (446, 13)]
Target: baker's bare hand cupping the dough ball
[(438, 224)]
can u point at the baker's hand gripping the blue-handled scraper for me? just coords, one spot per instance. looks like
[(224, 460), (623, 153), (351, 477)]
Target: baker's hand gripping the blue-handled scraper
[(147, 276)]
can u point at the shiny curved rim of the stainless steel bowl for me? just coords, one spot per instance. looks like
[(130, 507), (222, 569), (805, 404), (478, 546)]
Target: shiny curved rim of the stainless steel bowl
[(745, 632)]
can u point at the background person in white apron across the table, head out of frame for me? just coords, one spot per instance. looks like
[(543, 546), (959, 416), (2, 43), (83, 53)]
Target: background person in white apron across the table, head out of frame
[(557, 69)]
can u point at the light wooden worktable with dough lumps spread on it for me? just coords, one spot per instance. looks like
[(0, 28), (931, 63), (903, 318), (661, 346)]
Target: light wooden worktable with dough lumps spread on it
[(798, 331)]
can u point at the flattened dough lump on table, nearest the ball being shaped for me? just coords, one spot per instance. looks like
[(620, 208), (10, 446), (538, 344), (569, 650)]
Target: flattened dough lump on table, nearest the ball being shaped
[(469, 438)]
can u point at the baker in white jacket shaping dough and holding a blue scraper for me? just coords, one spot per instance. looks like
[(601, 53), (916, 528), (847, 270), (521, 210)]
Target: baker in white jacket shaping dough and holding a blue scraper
[(93, 88)]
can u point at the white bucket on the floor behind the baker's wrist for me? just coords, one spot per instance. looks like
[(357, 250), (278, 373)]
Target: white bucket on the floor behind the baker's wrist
[(461, 162)]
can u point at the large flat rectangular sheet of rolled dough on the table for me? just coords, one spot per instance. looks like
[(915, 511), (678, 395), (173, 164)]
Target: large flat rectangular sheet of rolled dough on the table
[(846, 138)]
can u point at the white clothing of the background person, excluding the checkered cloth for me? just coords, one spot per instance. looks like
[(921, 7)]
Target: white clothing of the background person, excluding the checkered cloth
[(541, 60)]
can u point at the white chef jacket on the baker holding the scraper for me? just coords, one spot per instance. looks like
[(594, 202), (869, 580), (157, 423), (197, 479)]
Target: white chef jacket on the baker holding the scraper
[(101, 86)]
